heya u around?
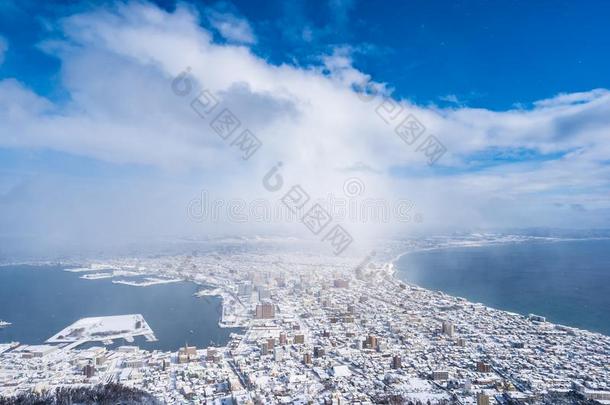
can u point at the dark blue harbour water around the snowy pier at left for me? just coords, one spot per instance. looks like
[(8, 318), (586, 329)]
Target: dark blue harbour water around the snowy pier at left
[(40, 301)]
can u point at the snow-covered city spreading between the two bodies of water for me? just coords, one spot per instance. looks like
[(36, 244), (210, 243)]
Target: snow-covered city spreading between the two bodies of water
[(319, 329)]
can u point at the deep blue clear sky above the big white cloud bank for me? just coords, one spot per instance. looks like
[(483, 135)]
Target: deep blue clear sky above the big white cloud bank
[(479, 53)]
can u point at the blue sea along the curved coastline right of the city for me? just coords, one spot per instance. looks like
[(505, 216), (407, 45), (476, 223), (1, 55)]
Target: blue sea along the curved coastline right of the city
[(568, 282)]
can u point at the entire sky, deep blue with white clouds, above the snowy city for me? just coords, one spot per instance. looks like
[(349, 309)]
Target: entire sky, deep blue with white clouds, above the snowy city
[(475, 115)]
